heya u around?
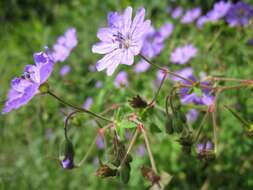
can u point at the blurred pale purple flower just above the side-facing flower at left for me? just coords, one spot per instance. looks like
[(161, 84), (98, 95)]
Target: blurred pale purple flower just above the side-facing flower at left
[(64, 45)]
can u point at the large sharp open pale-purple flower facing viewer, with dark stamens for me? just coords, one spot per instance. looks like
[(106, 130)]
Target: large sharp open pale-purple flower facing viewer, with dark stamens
[(122, 40)]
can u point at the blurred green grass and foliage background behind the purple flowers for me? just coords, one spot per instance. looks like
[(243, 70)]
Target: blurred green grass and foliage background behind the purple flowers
[(30, 138)]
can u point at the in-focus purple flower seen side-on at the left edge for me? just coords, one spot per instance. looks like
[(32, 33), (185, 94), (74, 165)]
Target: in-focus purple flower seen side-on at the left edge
[(24, 88)]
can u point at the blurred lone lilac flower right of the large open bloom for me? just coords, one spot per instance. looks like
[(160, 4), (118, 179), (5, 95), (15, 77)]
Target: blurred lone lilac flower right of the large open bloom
[(182, 55)]
